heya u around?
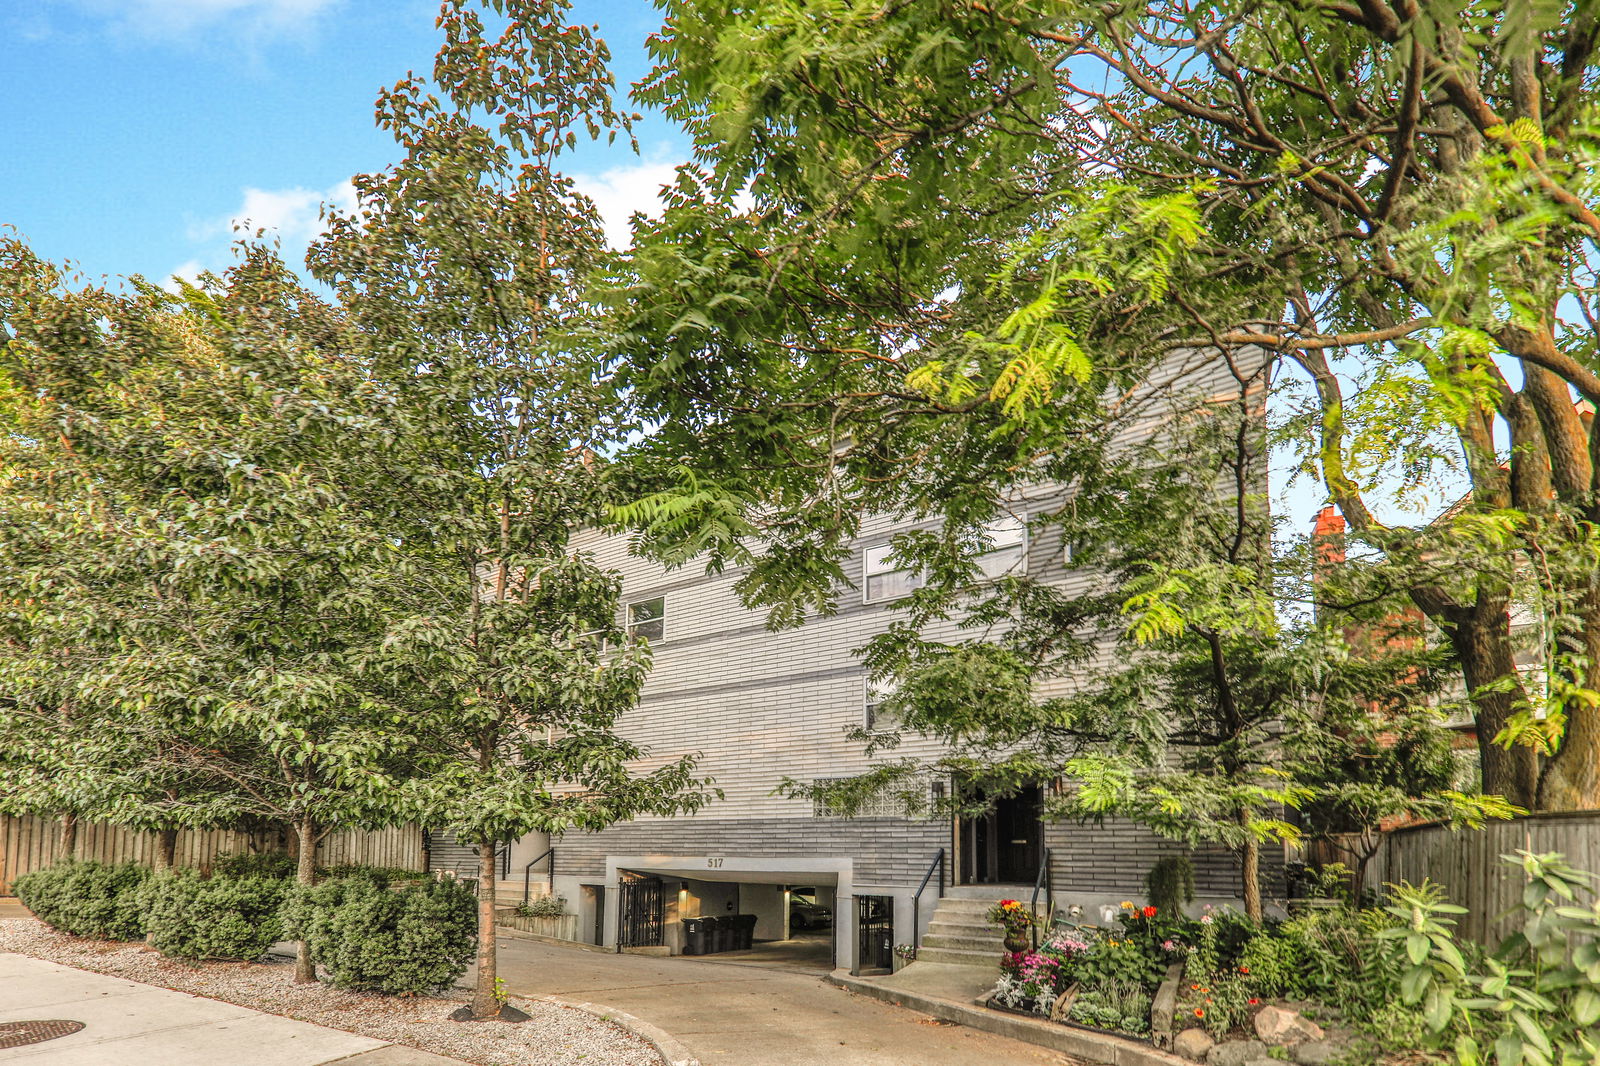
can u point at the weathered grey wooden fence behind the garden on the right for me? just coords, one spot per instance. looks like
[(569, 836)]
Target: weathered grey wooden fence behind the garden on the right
[(1468, 864)]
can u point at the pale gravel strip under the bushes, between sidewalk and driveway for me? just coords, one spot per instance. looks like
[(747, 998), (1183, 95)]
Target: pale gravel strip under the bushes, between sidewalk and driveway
[(556, 1036)]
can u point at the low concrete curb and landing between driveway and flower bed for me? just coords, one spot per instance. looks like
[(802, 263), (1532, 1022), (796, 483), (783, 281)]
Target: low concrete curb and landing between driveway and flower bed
[(948, 992)]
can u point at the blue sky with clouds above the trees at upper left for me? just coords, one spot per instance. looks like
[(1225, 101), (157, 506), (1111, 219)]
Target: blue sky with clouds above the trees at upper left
[(138, 130)]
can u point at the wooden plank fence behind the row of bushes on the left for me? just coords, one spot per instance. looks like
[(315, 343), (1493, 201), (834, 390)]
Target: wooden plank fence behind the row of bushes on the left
[(28, 844)]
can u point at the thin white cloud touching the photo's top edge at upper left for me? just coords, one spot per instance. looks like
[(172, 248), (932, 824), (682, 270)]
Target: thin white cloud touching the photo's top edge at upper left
[(244, 22)]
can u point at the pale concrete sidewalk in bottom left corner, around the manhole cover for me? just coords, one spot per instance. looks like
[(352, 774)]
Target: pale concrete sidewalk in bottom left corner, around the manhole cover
[(127, 1024)]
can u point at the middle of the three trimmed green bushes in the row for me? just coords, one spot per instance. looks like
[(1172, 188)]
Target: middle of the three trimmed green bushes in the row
[(220, 918)]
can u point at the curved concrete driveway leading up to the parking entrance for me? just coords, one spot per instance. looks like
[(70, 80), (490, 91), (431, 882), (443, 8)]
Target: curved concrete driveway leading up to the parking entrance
[(734, 1014)]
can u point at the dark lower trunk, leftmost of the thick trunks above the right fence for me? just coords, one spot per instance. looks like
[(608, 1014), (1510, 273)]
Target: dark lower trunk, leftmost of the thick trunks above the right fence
[(1484, 647)]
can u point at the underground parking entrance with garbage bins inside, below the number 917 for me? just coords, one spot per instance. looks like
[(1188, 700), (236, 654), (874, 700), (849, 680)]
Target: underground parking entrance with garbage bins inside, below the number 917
[(772, 913)]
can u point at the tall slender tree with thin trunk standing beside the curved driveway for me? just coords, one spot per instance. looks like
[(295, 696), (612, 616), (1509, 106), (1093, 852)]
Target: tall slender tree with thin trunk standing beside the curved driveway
[(465, 270)]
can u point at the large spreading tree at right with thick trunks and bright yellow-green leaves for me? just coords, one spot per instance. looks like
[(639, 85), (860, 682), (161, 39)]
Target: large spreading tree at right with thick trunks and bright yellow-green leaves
[(1409, 186)]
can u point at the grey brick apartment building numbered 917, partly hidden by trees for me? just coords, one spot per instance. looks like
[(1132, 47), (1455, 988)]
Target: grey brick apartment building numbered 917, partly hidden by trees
[(761, 707)]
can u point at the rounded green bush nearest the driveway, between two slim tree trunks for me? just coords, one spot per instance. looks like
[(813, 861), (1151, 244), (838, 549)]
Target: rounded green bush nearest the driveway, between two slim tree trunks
[(406, 942)]
